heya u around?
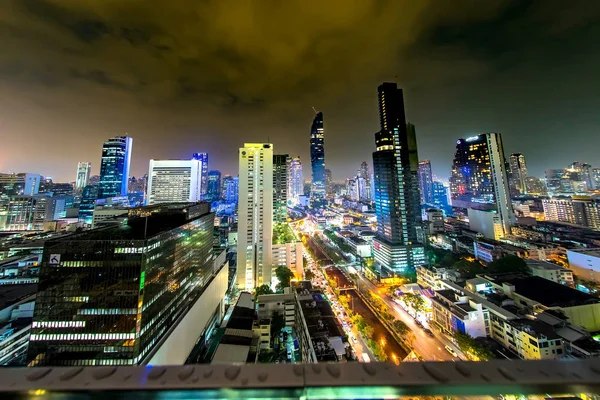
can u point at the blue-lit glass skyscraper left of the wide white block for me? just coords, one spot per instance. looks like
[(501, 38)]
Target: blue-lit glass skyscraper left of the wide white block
[(114, 168)]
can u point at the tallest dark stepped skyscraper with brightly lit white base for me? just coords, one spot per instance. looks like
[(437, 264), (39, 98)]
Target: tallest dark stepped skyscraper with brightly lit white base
[(395, 165)]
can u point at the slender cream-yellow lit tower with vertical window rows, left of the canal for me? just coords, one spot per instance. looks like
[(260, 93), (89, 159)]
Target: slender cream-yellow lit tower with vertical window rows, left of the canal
[(255, 215)]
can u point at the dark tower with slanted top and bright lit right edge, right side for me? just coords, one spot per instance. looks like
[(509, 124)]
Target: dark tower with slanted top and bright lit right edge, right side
[(479, 178)]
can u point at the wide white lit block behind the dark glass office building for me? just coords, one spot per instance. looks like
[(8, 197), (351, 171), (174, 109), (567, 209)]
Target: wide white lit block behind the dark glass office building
[(174, 181)]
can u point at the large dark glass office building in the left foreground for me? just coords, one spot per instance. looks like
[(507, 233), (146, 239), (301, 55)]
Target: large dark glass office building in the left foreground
[(140, 293)]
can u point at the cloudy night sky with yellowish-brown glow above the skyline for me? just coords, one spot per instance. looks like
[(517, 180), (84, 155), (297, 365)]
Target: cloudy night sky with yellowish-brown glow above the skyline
[(192, 76)]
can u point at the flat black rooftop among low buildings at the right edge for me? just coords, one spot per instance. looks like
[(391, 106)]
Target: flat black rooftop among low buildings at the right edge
[(545, 292)]
